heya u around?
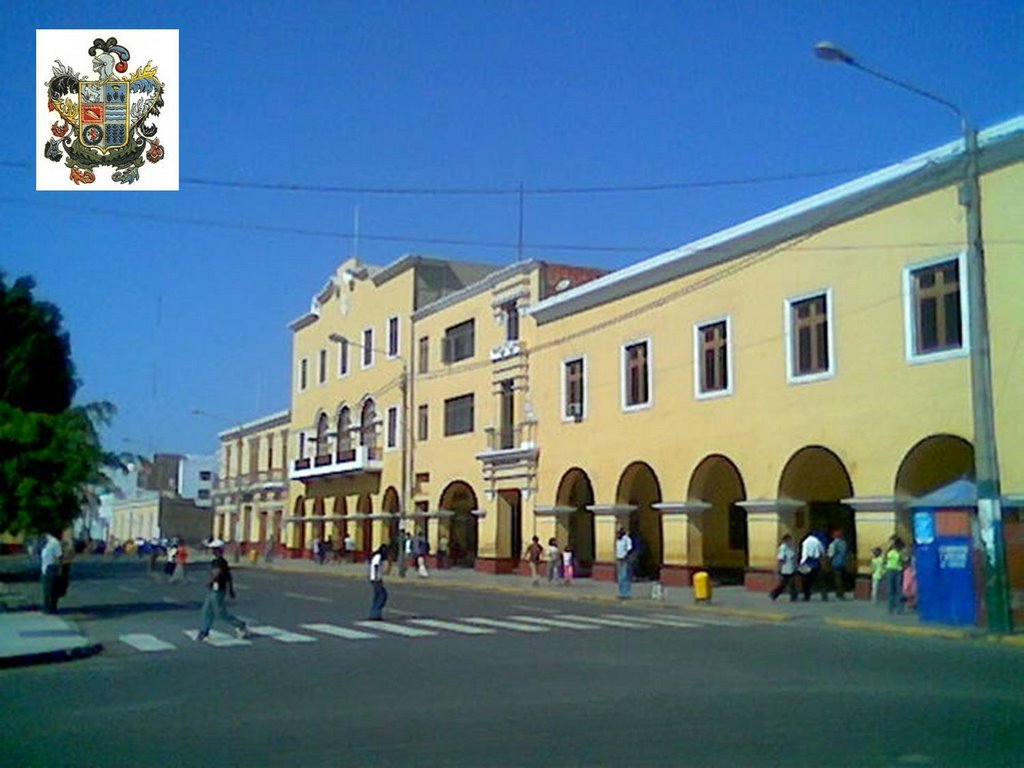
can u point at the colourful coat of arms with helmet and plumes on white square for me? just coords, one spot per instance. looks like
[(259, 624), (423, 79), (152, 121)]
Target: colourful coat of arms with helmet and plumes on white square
[(103, 122)]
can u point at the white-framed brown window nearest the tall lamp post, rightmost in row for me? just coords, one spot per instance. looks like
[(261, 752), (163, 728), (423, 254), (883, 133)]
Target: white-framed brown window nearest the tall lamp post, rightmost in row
[(938, 313)]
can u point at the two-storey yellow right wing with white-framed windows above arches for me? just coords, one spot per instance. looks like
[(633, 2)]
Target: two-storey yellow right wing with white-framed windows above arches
[(808, 370)]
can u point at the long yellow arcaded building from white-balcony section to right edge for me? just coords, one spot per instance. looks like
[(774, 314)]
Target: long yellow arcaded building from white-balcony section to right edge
[(807, 370)]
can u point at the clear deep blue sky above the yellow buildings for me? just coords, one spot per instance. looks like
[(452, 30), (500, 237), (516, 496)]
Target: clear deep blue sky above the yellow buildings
[(184, 301)]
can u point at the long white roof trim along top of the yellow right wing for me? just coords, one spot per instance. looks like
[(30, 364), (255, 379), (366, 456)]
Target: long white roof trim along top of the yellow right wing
[(1000, 146)]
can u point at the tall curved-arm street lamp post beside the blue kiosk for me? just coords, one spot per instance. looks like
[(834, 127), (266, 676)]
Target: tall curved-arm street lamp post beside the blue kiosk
[(986, 459)]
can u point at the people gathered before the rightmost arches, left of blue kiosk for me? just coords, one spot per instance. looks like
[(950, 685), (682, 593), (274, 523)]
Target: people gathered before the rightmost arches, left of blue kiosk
[(826, 566)]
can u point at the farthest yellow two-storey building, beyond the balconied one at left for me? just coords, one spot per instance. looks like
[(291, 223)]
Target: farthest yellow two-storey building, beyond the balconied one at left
[(251, 490)]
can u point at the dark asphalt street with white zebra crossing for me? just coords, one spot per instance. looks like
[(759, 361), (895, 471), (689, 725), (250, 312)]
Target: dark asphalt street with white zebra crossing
[(465, 678)]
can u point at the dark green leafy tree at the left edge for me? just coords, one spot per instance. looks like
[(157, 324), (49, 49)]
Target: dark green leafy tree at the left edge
[(51, 453)]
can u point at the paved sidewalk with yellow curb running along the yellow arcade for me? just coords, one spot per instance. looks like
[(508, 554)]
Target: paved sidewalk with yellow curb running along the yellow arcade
[(736, 602)]
